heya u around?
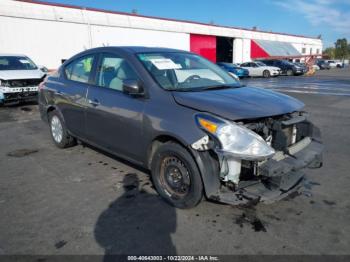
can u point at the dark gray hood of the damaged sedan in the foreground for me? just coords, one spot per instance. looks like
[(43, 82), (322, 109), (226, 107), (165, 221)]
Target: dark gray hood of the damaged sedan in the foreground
[(239, 103)]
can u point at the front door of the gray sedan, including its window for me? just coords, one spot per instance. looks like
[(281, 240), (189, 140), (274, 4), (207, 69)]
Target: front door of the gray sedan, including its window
[(114, 118)]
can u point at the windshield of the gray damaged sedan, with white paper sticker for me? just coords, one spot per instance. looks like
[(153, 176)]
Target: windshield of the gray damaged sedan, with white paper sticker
[(185, 72)]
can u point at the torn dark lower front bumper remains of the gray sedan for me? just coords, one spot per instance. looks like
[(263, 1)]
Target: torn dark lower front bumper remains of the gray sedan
[(278, 177)]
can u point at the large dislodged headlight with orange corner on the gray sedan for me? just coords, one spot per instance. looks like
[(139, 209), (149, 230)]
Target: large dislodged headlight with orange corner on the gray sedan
[(234, 139)]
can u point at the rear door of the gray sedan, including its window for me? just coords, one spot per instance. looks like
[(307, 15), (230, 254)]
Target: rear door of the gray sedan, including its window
[(70, 95)]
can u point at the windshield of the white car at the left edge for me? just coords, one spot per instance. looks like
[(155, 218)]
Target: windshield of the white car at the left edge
[(16, 63)]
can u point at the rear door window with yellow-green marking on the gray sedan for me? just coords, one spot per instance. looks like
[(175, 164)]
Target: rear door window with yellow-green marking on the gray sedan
[(80, 69)]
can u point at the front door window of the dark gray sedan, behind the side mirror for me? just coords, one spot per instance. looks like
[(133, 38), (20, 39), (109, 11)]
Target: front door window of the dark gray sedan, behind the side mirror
[(113, 71)]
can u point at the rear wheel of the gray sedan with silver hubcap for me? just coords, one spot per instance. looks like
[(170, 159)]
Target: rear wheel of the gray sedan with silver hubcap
[(59, 132)]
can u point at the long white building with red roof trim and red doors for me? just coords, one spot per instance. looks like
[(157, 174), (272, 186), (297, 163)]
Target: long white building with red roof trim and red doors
[(49, 32)]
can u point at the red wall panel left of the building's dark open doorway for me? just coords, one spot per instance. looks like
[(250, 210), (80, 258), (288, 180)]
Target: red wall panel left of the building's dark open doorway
[(204, 45)]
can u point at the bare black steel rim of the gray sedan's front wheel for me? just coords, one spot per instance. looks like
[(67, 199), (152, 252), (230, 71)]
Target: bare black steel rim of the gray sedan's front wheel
[(175, 177)]
